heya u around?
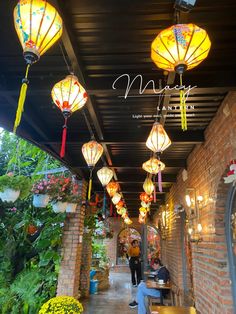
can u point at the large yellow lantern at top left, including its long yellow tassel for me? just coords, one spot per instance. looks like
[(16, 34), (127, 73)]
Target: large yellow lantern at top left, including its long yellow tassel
[(38, 26)]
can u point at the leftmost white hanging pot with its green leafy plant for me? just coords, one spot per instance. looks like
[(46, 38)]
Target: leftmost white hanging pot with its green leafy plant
[(12, 187)]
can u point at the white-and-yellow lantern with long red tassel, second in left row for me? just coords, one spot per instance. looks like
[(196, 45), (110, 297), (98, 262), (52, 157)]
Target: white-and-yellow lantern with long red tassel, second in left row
[(68, 95)]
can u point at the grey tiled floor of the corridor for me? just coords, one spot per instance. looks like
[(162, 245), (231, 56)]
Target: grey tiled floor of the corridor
[(115, 300)]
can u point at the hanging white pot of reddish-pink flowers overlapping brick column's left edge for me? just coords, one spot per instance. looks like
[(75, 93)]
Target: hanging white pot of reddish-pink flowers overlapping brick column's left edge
[(59, 189)]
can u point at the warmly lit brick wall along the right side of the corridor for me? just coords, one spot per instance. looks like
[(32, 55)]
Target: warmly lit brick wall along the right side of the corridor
[(206, 166)]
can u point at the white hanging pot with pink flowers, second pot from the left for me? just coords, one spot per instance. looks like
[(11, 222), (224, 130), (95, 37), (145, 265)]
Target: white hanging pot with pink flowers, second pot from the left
[(41, 193)]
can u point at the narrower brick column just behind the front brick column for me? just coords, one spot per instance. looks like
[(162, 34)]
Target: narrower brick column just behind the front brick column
[(86, 265)]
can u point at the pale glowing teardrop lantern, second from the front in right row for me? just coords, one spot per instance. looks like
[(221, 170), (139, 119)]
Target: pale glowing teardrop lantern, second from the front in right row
[(158, 140)]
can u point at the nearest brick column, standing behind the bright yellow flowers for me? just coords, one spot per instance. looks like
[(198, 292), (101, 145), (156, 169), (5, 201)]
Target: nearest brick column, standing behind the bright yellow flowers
[(69, 274)]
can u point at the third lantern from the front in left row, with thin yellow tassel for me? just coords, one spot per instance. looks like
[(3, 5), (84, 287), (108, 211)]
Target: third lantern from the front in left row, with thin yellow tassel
[(91, 151)]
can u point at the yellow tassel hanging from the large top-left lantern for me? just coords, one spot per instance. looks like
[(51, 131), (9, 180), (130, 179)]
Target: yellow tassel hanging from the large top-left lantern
[(21, 100)]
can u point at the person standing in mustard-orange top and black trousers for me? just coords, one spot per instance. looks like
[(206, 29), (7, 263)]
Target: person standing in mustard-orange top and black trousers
[(135, 262)]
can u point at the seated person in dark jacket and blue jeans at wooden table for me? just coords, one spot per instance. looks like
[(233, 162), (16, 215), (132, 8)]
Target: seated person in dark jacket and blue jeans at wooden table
[(160, 272)]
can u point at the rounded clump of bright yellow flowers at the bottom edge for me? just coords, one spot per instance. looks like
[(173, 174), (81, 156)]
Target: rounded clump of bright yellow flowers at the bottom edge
[(62, 304)]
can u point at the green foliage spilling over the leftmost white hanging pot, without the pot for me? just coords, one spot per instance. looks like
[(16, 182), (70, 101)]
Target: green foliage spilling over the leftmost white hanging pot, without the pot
[(22, 183)]
